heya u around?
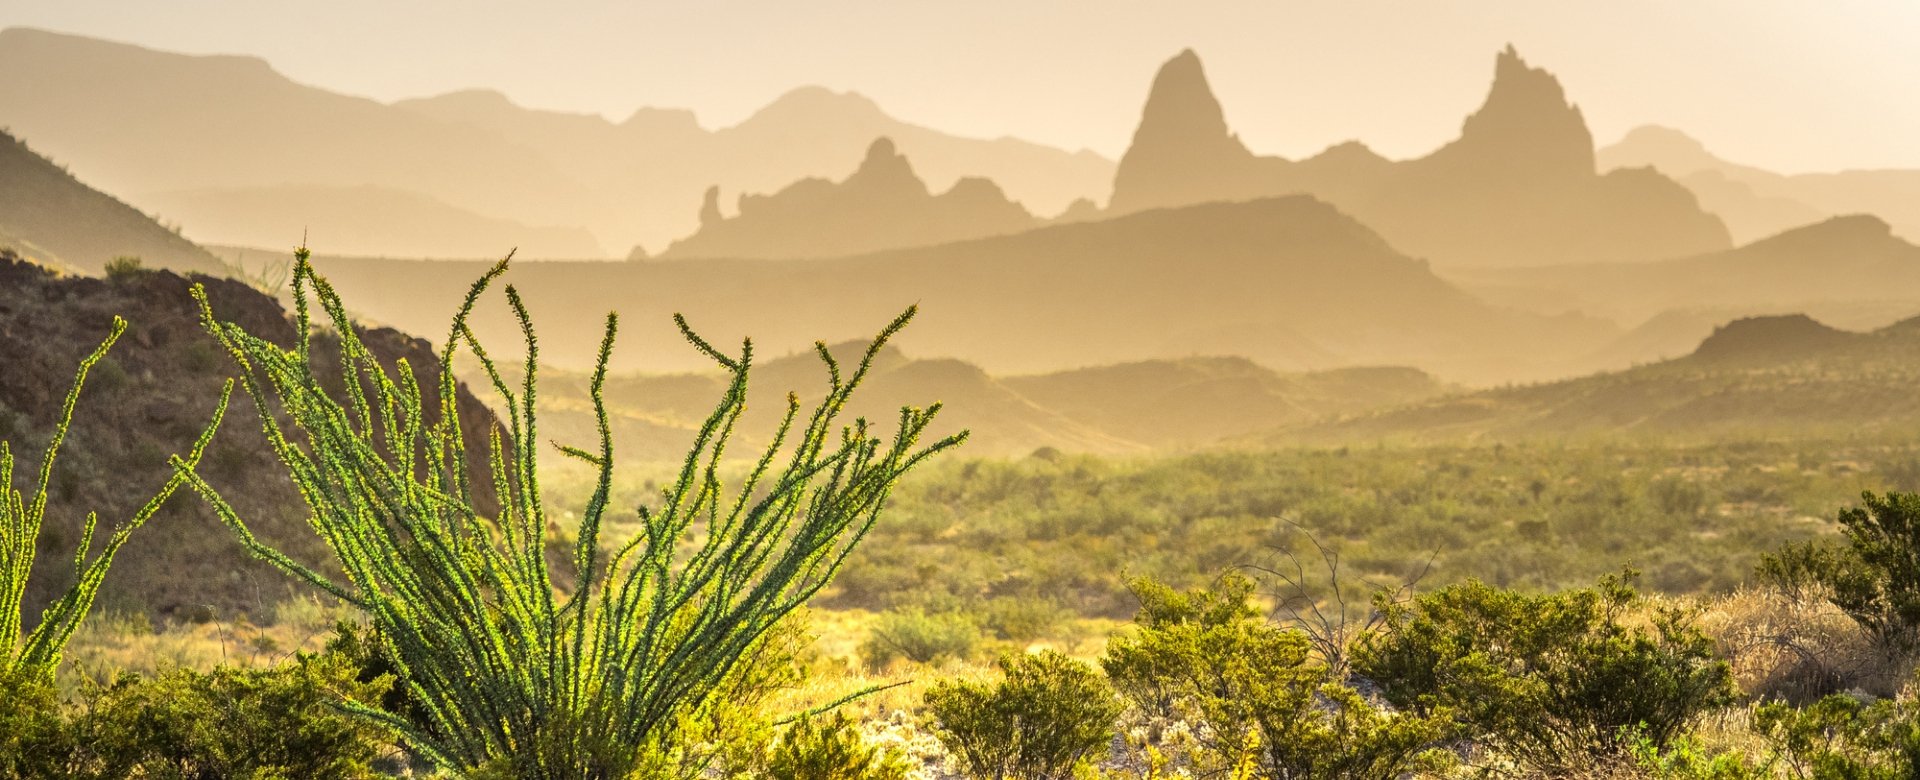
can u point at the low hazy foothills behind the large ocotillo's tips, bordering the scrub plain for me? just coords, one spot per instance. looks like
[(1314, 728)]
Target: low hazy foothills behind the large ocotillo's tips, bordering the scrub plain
[(1115, 410)]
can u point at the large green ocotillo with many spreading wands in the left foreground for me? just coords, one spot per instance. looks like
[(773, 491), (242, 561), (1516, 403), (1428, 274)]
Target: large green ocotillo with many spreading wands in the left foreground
[(512, 673)]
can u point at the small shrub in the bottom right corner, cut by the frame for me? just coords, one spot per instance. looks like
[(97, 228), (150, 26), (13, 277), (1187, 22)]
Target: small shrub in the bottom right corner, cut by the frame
[(1844, 739)]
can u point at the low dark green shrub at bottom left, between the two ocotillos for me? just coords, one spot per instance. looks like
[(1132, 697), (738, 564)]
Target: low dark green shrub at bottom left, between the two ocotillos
[(231, 723)]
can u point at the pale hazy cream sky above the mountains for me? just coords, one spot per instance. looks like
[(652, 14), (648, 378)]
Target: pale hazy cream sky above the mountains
[(1785, 85)]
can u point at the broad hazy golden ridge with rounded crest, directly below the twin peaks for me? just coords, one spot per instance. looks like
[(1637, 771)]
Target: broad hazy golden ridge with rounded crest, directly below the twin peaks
[(1289, 283)]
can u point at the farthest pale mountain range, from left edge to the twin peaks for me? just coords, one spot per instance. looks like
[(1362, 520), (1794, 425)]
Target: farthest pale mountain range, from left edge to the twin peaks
[(218, 137)]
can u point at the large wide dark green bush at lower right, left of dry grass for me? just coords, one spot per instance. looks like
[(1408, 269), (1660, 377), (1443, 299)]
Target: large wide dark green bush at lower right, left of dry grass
[(1554, 681)]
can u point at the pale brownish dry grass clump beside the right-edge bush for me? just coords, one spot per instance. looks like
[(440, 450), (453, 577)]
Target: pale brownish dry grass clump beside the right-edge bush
[(1798, 646)]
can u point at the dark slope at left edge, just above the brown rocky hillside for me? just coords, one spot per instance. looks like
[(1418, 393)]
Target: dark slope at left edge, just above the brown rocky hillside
[(51, 216)]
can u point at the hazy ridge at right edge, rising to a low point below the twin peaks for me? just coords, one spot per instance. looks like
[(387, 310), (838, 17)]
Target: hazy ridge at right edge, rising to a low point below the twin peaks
[(1852, 272)]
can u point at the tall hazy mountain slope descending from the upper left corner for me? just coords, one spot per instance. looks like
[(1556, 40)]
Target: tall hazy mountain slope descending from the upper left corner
[(222, 122)]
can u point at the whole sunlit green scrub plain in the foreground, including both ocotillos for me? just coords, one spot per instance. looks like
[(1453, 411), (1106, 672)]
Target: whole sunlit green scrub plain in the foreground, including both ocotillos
[(1606, 608)]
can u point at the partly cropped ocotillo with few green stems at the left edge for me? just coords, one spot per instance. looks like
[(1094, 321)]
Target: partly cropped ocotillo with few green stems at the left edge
[(20, 533)]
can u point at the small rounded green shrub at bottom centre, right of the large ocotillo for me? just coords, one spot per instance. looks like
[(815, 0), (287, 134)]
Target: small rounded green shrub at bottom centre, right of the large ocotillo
[(1044, 721)]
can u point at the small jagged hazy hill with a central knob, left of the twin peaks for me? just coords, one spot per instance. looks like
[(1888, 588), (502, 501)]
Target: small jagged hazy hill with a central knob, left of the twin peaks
[(880, 207)]
